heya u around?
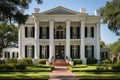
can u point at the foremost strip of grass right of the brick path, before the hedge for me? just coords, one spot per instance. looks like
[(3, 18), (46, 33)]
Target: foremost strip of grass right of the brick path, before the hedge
[(97, 75)]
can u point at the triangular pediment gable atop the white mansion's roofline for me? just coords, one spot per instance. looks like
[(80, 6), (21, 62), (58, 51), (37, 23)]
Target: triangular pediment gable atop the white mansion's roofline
[(60, 10)]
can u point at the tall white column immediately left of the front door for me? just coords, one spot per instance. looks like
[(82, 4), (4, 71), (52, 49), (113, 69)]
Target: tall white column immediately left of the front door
[(51, 36)]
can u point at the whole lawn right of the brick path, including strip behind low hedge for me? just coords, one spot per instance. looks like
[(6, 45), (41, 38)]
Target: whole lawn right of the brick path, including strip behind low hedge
[(91, 72)]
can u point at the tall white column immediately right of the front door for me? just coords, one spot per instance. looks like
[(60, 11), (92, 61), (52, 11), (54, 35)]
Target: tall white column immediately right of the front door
[(68, 38)]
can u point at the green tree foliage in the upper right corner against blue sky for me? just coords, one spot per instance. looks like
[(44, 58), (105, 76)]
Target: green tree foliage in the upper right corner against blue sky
[(111, 15)]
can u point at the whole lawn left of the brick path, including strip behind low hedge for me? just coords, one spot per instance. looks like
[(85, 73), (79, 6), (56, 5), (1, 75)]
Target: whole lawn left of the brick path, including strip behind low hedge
[(41, 72)]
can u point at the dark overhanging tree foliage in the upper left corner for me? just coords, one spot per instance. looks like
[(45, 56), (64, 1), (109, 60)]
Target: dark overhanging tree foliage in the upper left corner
[(9, 10)]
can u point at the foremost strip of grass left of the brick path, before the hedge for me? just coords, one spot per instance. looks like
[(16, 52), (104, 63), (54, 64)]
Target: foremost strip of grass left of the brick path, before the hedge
[(25, 75)]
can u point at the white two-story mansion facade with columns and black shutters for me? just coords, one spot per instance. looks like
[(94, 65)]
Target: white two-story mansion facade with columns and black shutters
[(60, 33)]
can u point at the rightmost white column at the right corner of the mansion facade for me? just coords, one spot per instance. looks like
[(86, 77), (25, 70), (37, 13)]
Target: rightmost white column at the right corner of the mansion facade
[(98, 43)]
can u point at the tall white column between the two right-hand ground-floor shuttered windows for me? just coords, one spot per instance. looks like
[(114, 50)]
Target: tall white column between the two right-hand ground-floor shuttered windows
[(83, 42)]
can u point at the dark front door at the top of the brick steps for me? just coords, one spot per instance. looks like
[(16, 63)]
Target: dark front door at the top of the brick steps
[(59, 52)]
